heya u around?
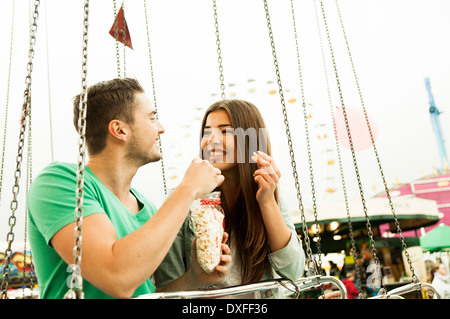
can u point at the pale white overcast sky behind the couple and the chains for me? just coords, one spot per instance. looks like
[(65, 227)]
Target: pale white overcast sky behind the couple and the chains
[(394, 46)]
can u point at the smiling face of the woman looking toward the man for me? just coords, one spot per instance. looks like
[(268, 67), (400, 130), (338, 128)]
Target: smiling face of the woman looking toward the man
[(218, 141)]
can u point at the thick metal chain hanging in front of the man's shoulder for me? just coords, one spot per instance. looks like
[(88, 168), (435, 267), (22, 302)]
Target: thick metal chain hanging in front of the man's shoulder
[(76, 278)]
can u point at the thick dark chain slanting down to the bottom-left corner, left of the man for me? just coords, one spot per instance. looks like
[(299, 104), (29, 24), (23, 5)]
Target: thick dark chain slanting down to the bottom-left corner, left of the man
[(23, 121)]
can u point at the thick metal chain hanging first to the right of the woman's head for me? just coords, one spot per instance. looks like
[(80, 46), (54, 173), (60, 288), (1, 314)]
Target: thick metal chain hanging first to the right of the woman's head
[(291, 150)]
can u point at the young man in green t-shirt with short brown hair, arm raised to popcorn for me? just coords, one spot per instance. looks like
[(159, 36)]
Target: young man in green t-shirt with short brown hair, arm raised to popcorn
[(124, 238)]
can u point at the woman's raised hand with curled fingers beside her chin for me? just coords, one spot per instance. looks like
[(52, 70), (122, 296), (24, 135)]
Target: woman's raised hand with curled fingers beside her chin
[(267, 176)]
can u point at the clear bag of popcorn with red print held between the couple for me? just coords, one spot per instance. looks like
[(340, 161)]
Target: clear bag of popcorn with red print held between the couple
[(207, 216)]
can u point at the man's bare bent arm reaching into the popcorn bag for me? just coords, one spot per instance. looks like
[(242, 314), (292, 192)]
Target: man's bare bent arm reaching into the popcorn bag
[(106, 260)]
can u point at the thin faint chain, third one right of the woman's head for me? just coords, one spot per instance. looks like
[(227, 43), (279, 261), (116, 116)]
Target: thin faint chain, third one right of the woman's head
[(341, 169)]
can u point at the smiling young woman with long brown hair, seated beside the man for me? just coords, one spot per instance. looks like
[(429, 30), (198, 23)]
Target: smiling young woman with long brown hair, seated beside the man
[(263, 241)]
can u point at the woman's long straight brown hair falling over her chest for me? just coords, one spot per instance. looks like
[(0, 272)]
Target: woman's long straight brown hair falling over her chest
[(244, 224)]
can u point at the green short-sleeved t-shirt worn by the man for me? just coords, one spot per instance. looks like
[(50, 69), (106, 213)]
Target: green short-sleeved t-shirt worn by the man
[(51, 206)]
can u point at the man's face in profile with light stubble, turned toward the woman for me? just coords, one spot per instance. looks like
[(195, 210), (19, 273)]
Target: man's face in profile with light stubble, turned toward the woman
[(143, 145)]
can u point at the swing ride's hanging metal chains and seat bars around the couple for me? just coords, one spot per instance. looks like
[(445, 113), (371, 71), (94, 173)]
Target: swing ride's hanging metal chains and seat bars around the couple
[(313, 279)]
